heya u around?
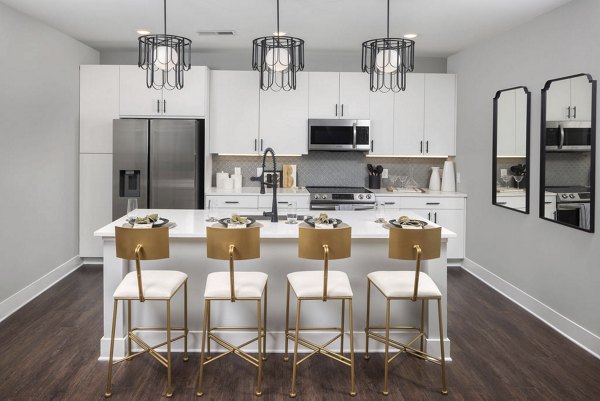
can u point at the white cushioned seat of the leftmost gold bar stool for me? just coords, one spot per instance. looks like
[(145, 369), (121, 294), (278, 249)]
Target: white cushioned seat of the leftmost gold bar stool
[(155, 284)]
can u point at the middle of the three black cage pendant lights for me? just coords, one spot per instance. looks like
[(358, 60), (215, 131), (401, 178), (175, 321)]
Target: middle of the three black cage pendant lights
[(277, 58)]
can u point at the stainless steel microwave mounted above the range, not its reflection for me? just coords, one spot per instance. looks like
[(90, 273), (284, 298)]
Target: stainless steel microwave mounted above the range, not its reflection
[(340, 135)]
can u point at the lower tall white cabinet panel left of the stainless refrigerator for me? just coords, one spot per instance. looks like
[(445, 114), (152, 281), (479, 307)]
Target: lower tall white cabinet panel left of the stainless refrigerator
[(95, 201)]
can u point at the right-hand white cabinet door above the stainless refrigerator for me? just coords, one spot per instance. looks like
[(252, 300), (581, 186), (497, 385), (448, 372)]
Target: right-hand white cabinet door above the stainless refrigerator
[(191, 100)]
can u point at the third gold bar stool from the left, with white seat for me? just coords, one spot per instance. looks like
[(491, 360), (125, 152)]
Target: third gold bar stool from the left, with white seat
[(325, 285)]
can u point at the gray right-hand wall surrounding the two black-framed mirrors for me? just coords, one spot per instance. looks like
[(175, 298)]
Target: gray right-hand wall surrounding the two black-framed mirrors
[(554, 264)]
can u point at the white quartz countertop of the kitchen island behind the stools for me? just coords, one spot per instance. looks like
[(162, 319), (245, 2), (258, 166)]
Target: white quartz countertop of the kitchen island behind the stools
[(192, 223)]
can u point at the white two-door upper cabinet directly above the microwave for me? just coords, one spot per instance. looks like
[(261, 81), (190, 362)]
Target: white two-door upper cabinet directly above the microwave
[(339, 95)]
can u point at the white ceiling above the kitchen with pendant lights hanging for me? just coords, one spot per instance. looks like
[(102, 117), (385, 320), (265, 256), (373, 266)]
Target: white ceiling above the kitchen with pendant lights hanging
[(444, 26)]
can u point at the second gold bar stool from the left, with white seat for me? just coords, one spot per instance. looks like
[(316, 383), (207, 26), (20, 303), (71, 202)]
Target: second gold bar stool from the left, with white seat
[(234, 244)]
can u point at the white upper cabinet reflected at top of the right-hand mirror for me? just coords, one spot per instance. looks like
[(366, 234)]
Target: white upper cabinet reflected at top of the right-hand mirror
[(570, 99)]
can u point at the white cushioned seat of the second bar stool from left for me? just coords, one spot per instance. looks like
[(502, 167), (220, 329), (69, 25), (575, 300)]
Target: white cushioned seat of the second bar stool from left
[(247, 285)]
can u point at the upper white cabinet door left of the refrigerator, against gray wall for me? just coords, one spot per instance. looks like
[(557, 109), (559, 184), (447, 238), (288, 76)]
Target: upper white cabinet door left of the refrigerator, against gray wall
[(98, 106)]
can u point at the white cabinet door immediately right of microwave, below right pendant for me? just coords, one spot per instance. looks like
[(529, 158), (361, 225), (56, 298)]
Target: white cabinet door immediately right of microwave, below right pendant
[(382, 123)]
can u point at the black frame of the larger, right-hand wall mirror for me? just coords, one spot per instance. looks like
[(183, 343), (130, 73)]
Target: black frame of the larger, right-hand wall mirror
[(593, 153)]
